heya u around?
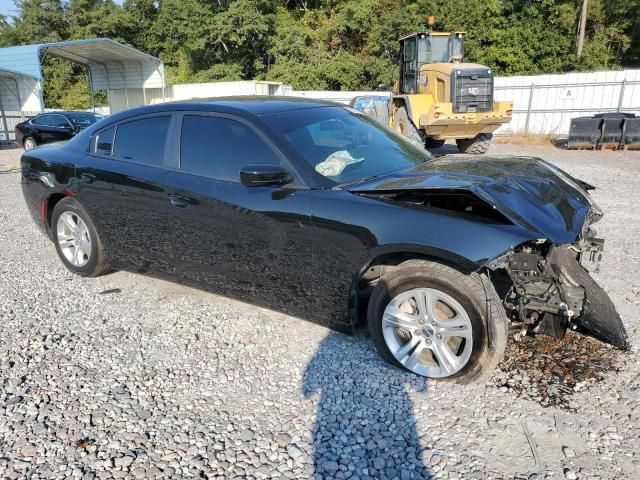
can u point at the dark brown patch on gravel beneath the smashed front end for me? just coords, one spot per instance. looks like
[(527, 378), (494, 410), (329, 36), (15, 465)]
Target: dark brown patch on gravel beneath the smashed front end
[(549, 370)]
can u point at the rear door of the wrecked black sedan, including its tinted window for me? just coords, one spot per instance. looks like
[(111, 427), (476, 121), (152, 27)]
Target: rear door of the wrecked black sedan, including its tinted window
[(121, 185)]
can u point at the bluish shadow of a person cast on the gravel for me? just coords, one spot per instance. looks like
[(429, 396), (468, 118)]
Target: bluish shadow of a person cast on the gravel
[(365, 423)]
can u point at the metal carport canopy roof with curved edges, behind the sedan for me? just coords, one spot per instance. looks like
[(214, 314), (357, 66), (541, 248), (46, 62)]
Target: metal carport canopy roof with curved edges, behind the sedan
[(111, 65)]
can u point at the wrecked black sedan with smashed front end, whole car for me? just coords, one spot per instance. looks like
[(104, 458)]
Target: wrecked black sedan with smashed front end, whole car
[(316, 210)]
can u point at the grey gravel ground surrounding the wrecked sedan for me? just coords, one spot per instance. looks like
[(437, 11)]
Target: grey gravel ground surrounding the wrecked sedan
[(130, 377)]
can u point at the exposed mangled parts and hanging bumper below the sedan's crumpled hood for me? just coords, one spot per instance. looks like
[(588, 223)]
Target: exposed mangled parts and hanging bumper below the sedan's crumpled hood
[(548, 289)]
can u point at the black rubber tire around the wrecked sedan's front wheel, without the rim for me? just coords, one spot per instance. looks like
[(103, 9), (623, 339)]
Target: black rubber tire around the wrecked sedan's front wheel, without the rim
[(474, 292)]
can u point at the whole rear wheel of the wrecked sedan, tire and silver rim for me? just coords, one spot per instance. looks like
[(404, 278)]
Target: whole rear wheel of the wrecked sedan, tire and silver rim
[(76, 239)]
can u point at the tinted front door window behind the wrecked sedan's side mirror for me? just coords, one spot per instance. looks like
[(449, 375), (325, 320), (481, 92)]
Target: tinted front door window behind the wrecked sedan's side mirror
[(219, 147)]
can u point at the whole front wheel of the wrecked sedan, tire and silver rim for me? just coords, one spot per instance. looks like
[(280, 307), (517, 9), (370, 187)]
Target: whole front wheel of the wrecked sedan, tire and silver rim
[(437, 322)]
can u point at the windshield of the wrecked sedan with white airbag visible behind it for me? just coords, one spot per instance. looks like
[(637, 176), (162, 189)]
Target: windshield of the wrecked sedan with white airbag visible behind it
[(344, 145)]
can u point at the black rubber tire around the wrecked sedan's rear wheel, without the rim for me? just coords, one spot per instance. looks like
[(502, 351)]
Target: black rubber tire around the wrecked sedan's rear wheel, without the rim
[(97, 264)]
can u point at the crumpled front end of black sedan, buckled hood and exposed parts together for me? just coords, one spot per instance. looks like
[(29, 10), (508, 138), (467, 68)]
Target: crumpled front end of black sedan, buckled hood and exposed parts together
[(544, 277)]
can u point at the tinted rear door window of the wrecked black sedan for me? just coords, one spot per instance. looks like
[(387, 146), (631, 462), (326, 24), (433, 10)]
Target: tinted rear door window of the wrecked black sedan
[(142, 141)]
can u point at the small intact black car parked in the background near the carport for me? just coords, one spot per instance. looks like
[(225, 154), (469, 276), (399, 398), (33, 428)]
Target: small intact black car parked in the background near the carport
[(53, 127)]
